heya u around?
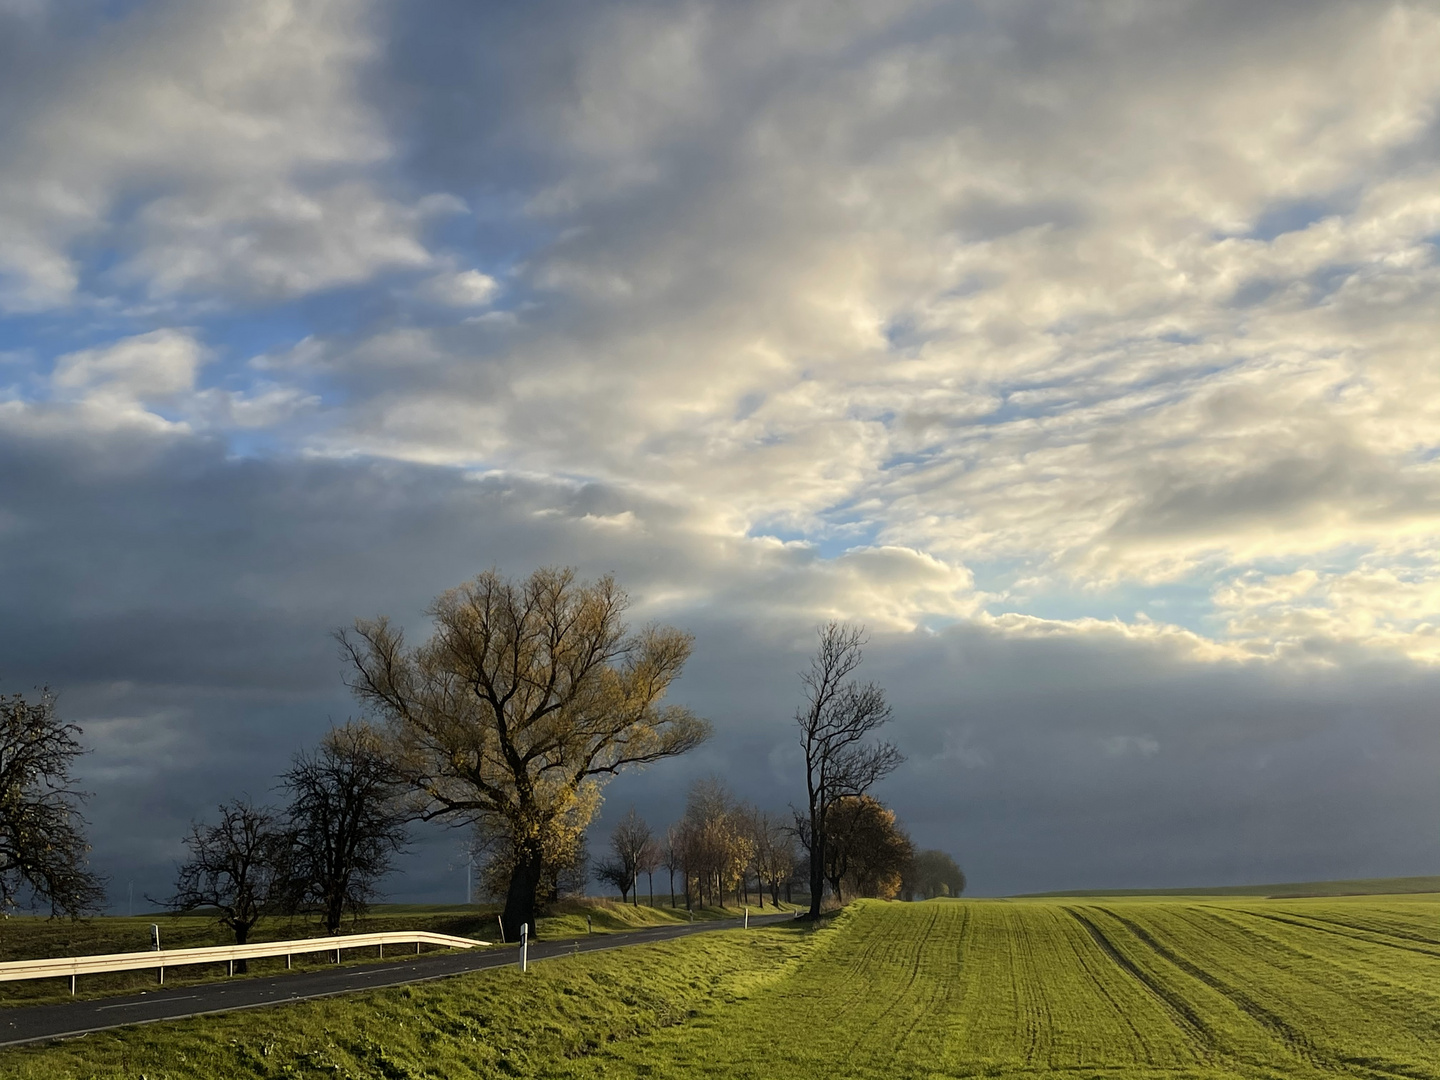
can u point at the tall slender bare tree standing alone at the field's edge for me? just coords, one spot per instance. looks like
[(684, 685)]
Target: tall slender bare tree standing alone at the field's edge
[(836, 722)]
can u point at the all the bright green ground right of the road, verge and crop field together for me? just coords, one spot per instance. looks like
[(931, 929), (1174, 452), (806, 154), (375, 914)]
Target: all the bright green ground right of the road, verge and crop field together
[(981, 989)]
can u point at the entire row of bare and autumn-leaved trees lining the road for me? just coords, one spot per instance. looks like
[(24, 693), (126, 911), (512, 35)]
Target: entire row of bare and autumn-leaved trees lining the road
[(523, 703)]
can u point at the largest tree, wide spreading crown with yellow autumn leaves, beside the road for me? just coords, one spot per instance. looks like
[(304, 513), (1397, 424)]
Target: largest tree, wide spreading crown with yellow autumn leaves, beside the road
[(523, 703)]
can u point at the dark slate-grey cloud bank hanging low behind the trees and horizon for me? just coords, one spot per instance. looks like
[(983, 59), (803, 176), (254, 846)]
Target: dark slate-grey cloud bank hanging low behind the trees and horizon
[(182, 603)]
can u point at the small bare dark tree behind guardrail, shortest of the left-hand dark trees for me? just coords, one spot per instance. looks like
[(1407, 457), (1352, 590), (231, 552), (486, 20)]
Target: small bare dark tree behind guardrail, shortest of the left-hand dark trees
[(238, 868)]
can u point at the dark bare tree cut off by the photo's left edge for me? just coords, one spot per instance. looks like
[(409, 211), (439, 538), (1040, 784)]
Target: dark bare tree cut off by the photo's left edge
[(42, 846)]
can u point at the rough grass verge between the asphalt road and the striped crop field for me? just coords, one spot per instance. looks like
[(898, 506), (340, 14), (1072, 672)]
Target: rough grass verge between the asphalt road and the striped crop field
[(498, 1023)]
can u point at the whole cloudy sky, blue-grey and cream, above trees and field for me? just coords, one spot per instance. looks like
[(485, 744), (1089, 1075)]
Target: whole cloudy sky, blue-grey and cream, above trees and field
[(1085, 352)]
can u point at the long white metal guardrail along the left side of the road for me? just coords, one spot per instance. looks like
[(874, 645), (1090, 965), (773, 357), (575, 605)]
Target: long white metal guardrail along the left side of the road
[(74, 967)]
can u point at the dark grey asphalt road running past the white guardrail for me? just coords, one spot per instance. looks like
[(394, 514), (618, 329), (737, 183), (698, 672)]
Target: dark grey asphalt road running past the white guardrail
[(41, 1023)]
